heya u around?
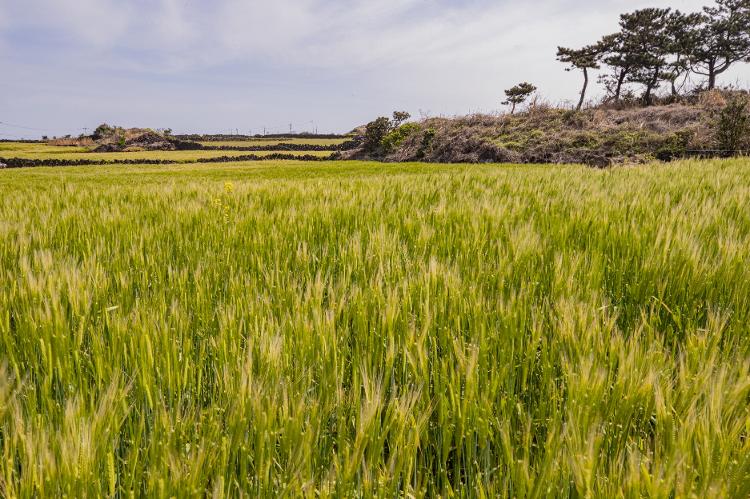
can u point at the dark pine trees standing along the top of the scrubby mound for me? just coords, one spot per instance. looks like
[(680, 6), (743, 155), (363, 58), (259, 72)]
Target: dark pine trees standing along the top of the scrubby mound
[(661, 46)]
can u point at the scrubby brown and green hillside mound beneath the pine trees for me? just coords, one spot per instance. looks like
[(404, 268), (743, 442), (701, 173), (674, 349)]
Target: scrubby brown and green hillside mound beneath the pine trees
[(715, 123)]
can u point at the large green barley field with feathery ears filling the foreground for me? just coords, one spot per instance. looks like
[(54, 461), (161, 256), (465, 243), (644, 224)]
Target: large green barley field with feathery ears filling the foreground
[(289, 329)]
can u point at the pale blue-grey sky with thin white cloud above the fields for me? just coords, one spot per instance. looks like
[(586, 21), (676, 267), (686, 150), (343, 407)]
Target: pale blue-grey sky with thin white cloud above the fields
[(248, 65)]
